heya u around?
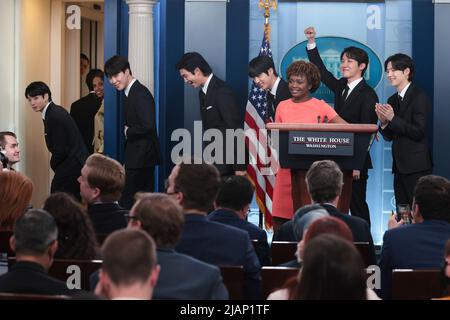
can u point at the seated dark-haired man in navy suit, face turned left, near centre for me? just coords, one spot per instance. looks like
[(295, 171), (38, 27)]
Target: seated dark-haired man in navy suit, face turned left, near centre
[(195, 187)]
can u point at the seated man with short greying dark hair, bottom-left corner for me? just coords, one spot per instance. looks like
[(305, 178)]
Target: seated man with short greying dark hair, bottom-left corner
[(35, 243)]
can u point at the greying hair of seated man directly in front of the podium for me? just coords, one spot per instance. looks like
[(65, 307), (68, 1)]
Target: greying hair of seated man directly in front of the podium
[(324, 180)]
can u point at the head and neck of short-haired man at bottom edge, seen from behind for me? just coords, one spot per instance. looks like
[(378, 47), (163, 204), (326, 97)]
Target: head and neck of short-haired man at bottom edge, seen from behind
[(129, 269)]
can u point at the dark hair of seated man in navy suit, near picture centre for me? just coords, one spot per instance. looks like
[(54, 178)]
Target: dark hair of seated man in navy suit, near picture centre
[(199, 184)]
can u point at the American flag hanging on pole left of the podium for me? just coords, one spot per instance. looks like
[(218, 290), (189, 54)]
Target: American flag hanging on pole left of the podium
[(257, 170)]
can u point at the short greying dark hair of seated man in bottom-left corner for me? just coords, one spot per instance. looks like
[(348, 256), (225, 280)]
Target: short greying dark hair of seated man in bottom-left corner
[(34, 232)]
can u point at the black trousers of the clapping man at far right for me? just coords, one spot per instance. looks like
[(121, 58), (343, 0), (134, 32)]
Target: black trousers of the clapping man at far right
[(404, 185)]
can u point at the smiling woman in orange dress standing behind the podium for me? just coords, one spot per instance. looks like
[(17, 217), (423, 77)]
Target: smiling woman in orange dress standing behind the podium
[(303, 79)]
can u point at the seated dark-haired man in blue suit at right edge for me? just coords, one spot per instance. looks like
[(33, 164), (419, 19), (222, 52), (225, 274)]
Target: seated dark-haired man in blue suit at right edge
[(419, 245)]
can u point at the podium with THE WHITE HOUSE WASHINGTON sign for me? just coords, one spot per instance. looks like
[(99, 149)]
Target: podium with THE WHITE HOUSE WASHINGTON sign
[(302, 144)]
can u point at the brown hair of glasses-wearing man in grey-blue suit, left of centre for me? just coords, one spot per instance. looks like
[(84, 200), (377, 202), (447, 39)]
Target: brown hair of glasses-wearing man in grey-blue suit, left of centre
[(161, 217)]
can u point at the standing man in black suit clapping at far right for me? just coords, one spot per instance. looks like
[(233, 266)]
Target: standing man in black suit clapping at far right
[(404, 122)]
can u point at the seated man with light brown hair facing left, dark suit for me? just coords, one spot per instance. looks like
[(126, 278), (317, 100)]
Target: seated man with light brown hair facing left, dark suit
[(101, 183)]
